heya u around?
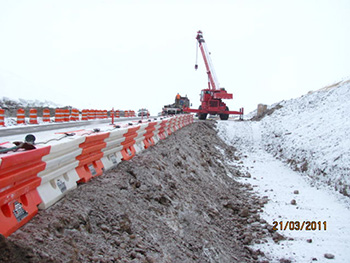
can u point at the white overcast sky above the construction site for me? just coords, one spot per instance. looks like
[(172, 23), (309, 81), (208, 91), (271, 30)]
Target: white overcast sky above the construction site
[(134, 54)]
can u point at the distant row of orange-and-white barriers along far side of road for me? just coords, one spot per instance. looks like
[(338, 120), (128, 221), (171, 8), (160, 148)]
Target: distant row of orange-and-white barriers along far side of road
[(65, 115)]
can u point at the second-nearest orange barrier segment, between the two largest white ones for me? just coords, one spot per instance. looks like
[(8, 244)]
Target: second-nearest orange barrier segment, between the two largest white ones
[(90, 164)]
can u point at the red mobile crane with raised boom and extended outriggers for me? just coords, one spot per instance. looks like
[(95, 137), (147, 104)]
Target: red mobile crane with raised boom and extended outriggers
[(211, 98)]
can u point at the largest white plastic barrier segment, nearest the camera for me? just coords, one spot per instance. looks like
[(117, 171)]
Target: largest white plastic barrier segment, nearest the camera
[(59, 175)]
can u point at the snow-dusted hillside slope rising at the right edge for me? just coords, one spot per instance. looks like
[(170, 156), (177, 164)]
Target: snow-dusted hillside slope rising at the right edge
[(312, 134)]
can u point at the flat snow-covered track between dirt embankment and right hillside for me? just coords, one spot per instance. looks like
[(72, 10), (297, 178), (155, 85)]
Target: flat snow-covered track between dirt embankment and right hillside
[(270, 177)]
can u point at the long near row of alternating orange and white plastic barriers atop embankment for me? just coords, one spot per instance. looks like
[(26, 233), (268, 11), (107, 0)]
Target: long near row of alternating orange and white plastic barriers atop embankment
[(40, 177)]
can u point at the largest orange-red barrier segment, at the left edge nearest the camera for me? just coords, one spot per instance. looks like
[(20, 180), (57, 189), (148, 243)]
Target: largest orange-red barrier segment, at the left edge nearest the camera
[(18, 182)]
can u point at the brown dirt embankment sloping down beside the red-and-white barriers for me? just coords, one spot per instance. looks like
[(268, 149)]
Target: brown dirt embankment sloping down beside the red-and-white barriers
[(171, 203)]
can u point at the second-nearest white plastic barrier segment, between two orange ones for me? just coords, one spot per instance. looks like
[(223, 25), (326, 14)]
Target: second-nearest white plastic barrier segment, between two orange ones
[(112, 152)]
